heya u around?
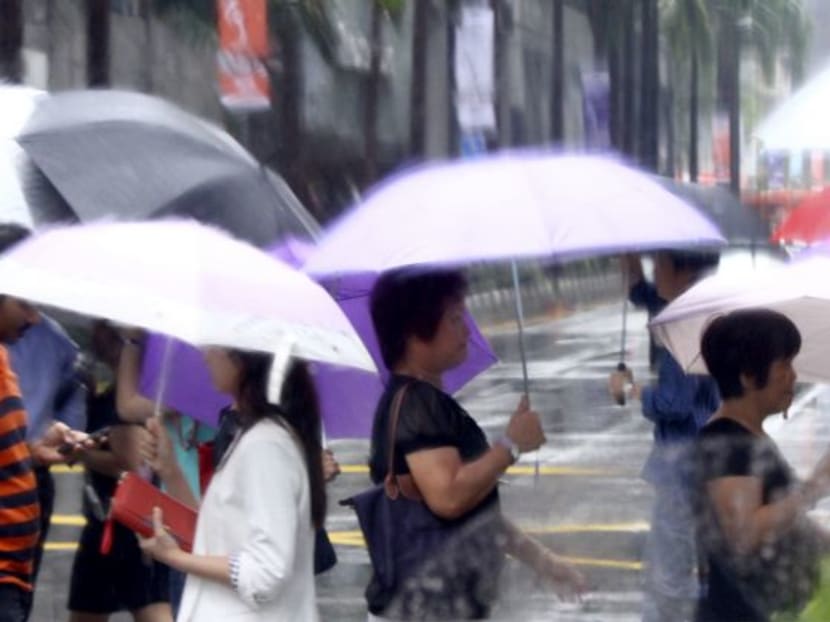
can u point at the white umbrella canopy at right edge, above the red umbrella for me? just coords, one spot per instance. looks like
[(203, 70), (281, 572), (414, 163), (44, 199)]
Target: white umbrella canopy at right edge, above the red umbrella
[(800, 122)]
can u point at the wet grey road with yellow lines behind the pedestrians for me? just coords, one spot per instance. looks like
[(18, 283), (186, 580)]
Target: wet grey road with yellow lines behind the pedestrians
[(587, 501)]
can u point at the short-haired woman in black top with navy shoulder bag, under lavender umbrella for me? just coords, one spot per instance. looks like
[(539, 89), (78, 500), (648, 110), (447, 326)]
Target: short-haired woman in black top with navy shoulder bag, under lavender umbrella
[(420, 324)]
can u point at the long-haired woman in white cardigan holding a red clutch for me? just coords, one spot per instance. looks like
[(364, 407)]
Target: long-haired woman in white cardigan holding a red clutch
[(253, 554)]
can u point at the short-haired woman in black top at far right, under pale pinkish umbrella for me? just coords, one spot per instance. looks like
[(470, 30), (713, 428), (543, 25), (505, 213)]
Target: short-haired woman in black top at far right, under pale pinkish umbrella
[(752, 507)]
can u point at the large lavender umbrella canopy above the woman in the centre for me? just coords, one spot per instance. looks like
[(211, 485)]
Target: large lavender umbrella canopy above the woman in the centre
[(508, 206)]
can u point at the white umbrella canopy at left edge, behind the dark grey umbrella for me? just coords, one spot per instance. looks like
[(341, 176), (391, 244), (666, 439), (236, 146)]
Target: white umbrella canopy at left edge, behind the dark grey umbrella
[(26, 197)]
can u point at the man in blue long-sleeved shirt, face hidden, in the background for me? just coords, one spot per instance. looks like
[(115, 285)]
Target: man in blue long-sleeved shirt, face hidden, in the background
[(678, 405)]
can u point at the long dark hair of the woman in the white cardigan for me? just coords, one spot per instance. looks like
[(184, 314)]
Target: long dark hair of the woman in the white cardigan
[(298, 406)]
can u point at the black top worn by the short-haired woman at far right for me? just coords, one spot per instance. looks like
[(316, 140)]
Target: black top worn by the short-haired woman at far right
[(725, 448)]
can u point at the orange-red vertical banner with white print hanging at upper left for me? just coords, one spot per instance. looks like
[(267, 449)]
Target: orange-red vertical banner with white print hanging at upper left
[(243, 44)]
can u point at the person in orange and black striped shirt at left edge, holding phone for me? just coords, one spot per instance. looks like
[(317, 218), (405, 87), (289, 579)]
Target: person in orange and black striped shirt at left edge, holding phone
[(19, 507)]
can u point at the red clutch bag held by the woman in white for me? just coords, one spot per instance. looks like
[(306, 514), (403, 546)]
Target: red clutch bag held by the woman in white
[(132, 506)]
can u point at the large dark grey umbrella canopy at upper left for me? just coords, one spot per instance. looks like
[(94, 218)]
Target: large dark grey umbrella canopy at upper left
[(131, 156)]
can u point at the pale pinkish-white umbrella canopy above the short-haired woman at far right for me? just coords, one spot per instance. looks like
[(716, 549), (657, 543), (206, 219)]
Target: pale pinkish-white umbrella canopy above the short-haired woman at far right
[(800, 290)]
